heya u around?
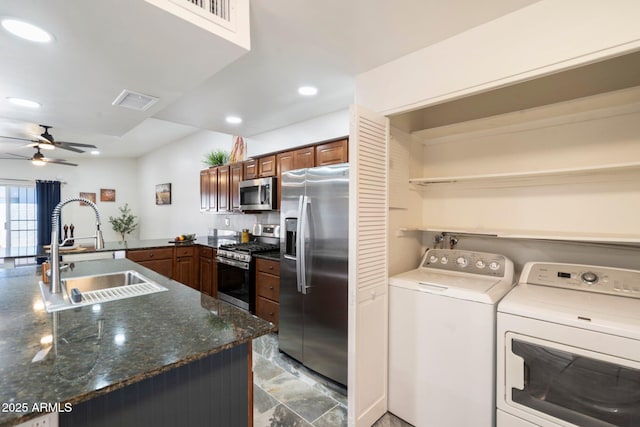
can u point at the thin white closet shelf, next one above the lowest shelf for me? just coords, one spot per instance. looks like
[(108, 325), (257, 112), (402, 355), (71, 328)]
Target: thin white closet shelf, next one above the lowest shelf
[(531, 176)]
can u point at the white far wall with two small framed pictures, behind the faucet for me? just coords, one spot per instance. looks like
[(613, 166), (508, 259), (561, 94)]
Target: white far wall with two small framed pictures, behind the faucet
[(89, 176)]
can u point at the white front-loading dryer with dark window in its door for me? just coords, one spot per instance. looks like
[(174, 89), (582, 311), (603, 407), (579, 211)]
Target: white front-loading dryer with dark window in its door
[(568, 348)]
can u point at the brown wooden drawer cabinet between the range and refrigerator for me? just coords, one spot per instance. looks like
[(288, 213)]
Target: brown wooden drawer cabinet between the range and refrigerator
[(268, 290)]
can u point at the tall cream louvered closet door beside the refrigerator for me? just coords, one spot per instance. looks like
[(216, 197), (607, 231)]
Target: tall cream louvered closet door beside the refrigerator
[(368, 300)]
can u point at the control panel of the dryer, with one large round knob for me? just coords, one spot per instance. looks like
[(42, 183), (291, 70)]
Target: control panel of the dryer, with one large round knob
[(606, 280)]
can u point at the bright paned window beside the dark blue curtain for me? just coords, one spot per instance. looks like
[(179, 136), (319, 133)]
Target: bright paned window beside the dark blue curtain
[(18, 215)]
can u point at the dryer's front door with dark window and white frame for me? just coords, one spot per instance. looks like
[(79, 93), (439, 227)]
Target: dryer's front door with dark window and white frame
[(565, 383)]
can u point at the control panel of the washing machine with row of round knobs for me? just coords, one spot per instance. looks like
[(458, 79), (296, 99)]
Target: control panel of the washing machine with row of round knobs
[(466, 261)]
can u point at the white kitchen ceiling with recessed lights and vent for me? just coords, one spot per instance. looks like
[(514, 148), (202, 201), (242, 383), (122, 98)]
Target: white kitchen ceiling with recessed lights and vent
[(104, 47)]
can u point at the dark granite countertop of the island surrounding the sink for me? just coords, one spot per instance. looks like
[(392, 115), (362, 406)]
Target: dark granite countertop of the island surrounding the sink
[(93, 350)]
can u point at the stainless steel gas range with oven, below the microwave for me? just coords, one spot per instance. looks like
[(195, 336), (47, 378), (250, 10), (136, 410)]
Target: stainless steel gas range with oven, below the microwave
[(236, 272)]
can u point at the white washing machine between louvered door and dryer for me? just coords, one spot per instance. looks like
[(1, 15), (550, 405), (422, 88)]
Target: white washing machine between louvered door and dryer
[(442, 338)]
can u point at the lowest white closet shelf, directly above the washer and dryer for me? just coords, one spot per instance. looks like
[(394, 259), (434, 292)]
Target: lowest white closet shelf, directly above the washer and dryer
[(533, 234)]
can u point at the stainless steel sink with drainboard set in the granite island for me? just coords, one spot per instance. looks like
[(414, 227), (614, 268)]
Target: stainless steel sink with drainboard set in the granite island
[(99, 288)]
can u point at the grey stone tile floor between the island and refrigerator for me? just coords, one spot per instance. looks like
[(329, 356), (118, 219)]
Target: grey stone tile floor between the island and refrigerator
[(286, 394)]
